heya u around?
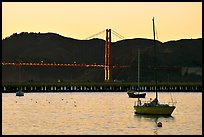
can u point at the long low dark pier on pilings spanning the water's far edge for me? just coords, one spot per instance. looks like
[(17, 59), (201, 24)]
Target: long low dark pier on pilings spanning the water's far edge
[(100, 87)]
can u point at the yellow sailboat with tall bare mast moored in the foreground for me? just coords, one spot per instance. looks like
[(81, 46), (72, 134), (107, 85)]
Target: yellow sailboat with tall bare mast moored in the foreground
[(153, 107)]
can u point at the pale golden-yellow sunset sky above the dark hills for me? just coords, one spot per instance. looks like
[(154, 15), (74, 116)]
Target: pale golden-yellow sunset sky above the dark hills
[(79, 20)]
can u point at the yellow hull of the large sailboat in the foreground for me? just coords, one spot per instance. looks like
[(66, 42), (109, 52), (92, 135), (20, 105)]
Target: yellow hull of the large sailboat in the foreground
[(154, 110)]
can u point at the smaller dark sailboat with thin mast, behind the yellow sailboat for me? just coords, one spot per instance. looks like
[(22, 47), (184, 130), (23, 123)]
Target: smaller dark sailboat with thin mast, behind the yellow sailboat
[(133, 93)]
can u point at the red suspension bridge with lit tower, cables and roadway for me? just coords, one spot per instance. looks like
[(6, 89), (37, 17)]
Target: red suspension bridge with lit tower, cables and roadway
[(107, 66)]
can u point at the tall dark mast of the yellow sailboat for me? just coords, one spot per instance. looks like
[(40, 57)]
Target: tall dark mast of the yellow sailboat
[(155, 72)]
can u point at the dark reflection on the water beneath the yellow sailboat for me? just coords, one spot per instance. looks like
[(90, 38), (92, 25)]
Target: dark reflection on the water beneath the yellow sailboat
[(154, 119)]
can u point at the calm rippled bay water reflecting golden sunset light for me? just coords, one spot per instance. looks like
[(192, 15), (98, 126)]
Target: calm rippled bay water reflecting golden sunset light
[(84, 113)]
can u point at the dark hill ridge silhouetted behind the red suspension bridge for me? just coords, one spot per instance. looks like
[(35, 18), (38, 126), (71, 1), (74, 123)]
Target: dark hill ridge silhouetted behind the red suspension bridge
[(51, 47)]
